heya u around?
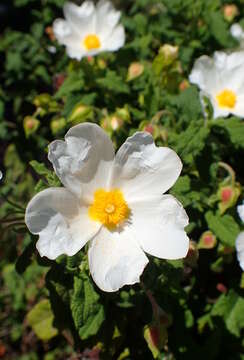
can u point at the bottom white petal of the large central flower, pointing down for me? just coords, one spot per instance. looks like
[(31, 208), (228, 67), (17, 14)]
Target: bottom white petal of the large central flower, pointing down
[(115, 260)]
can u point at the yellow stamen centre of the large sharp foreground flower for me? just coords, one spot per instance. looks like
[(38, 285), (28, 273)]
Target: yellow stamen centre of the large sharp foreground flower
[(109, 207)]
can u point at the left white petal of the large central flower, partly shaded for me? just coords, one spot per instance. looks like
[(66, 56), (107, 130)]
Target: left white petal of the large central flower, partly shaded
[(61, 221)]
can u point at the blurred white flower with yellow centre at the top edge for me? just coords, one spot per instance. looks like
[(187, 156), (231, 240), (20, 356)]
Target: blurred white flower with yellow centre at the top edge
[(88, 30)]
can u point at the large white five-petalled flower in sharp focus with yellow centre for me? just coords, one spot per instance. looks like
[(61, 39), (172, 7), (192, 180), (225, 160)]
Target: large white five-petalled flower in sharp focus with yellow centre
[(114, 202)]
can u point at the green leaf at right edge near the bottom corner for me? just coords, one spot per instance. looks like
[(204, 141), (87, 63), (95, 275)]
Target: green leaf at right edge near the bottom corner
[(231, 308)]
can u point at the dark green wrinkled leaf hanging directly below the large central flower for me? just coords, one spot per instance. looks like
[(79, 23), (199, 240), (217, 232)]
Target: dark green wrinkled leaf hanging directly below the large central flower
[(87, 311)]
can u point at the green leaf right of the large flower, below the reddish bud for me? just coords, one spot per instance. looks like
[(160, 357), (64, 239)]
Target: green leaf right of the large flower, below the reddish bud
[(224, 227)]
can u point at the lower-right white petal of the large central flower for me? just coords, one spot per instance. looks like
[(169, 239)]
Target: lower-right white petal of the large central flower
[(158, 225)]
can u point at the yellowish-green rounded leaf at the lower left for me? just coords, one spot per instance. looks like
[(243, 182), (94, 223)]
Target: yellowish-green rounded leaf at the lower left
[(40, 318)]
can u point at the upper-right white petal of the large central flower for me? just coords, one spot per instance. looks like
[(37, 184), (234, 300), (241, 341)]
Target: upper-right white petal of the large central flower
[(142, 170)]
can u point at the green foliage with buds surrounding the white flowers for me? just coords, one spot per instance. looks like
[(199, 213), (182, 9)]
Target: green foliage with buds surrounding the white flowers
[(52, 310)]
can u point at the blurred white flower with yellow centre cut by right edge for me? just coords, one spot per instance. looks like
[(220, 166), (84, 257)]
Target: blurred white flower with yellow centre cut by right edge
[(221, 79)]
